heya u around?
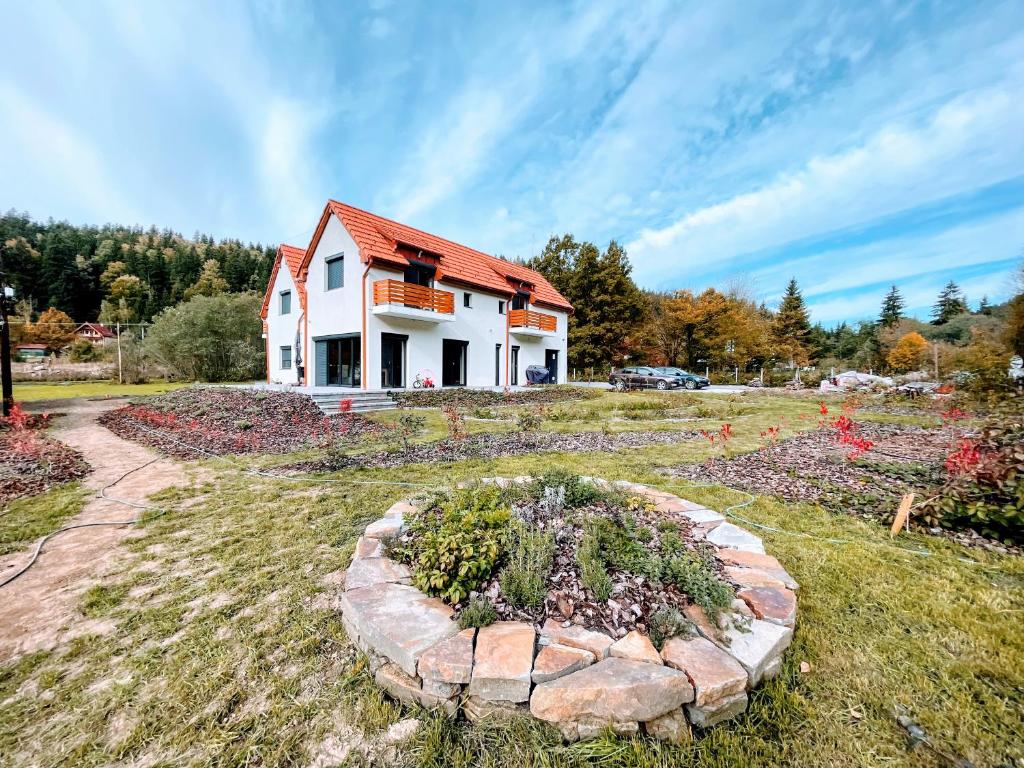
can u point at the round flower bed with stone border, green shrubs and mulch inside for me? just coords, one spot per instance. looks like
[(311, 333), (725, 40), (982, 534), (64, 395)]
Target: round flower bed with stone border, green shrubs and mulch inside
[(587, 605)]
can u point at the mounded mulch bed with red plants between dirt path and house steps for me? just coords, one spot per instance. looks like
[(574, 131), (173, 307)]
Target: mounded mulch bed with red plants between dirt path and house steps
[(226, 420)]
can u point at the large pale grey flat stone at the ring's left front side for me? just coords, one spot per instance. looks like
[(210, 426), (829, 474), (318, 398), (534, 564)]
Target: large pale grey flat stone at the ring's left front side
[(398, 622)]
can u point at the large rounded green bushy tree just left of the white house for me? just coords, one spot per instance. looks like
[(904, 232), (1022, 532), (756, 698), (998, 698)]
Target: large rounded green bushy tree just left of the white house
[(210, 338)]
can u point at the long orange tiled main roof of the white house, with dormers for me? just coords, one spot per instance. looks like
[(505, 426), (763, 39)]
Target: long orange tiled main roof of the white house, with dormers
[(392, 244)]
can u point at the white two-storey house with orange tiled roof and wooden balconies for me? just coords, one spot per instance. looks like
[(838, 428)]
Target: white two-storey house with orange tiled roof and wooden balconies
[(375, 305)]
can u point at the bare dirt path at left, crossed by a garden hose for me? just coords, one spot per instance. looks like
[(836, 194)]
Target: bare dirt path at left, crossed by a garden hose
[(39, 610)]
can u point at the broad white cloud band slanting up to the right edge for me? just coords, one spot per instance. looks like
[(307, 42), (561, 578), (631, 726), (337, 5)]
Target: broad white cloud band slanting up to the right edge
[(901, 166)]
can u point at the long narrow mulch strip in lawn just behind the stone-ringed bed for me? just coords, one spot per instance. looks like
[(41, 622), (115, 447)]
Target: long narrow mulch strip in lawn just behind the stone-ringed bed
[(491, 446)]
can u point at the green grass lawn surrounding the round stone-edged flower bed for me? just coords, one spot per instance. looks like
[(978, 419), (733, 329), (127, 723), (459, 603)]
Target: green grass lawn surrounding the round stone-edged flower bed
[(226, 648)]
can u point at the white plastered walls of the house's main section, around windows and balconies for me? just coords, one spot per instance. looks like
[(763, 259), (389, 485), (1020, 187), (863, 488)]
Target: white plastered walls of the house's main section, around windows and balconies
[(339, 312)]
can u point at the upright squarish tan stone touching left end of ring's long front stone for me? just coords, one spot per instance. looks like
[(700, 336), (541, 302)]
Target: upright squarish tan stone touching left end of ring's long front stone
[(503, 662)]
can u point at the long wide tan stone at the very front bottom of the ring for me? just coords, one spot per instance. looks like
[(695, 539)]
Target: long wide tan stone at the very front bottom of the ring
[(615, 691)]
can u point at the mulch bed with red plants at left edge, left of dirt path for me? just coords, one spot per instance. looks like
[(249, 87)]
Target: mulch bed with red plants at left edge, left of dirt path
[(32, 463)]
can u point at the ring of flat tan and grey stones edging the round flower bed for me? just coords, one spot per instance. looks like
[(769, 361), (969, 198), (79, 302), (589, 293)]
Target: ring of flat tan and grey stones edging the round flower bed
[(580, 680)]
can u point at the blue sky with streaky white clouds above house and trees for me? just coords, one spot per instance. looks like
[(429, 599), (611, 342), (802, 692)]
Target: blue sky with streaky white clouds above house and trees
[(851, 146)]
